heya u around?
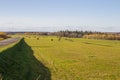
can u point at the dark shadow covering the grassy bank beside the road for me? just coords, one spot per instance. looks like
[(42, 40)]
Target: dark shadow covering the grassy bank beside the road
[(19, 63)]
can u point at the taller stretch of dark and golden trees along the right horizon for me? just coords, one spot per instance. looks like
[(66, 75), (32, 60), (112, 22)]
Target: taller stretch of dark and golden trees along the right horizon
[(89, 35)]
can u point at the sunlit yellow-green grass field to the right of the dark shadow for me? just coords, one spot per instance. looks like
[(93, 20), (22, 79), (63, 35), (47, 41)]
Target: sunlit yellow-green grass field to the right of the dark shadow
[(81, 59)]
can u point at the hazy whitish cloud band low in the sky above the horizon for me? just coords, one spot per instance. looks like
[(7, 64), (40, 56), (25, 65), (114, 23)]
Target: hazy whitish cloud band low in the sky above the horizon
[(55, 24)]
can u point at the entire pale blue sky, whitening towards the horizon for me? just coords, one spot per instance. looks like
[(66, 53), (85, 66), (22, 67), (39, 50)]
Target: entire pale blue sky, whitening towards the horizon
[(54, 15)]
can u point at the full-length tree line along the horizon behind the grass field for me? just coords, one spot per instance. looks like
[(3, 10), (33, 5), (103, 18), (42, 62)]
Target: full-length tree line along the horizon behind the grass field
[(79, 34)]
